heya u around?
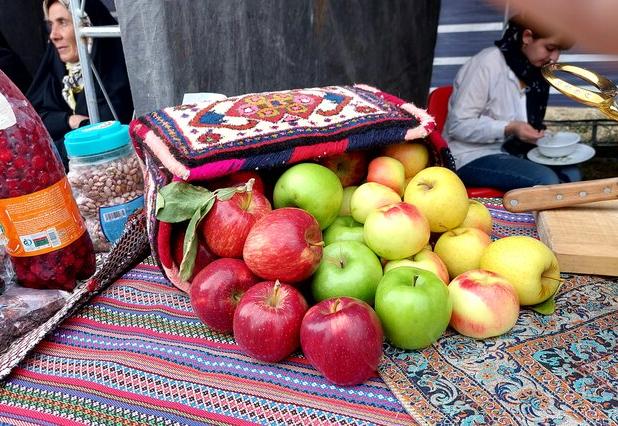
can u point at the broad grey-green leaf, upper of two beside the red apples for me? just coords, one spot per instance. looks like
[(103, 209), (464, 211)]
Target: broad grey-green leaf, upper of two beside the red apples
[(178, 201)]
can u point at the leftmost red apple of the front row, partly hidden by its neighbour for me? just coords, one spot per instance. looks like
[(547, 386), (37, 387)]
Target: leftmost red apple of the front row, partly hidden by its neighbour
[(217, 289)]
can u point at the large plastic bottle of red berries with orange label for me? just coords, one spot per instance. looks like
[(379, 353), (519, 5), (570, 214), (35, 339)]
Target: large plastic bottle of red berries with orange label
[(46, 237)]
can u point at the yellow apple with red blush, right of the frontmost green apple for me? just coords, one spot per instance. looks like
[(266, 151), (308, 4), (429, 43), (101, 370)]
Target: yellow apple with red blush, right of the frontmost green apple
[(485, 304)]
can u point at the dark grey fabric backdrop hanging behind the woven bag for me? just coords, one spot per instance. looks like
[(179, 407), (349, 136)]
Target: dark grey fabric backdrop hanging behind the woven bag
[(240, 46)]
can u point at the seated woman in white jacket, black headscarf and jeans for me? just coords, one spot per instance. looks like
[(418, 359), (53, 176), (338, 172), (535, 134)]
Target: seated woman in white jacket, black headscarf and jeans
[(498, 95)]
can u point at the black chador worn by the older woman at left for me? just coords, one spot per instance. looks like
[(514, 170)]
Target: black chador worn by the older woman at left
[(107, 56)]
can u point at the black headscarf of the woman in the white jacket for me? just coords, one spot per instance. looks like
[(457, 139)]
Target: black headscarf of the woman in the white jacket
[(538, 89)]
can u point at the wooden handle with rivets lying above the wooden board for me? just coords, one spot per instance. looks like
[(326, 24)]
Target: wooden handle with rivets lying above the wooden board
[(545, 197)]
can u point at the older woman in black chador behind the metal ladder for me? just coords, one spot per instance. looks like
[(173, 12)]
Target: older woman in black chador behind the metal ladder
[(57, 91)]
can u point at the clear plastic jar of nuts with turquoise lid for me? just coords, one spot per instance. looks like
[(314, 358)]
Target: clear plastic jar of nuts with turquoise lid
[(106, 178)]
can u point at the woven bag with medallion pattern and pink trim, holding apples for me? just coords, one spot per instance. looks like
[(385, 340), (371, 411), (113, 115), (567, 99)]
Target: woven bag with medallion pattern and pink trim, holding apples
[(260, 131)]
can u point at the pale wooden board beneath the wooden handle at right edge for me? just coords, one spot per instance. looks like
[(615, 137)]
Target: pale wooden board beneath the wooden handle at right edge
[(584, 237)]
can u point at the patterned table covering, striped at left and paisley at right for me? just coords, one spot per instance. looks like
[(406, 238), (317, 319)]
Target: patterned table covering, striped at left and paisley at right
[(136, 354)]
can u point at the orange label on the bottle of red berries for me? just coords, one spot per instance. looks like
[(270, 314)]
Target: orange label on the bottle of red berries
[(42, 221)]
